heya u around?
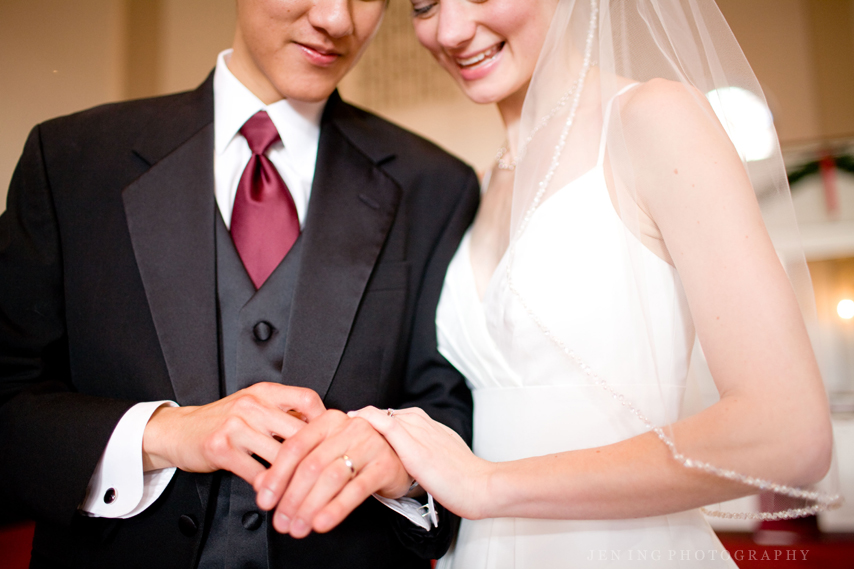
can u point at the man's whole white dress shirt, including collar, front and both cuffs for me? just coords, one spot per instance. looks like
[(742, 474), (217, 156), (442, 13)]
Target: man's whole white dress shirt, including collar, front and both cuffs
[(119, 473)]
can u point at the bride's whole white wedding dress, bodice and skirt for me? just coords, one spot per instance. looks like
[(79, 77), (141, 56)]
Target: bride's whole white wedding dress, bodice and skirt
[(530, 399)]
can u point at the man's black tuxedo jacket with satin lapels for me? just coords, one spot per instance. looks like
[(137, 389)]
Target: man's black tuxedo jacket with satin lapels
[(108, 298)]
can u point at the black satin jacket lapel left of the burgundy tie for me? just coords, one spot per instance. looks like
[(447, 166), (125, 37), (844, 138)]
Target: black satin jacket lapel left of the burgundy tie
[(170, 213)]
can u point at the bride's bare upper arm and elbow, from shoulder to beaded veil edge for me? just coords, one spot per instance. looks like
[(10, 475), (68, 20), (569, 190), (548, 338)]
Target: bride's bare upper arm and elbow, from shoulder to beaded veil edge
[(773, 419)]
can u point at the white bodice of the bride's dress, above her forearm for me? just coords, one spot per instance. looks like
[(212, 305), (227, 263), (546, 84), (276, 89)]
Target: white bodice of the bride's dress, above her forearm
[(569, 269)]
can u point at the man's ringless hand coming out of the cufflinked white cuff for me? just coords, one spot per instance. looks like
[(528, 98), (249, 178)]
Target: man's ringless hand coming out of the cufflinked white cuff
[(225, 434)]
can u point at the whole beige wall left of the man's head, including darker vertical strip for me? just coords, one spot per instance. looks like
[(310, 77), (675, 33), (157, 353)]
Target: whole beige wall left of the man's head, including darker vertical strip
[(58, 57)]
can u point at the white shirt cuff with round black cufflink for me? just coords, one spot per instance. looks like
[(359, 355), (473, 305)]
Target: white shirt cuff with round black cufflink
[(119, 488)]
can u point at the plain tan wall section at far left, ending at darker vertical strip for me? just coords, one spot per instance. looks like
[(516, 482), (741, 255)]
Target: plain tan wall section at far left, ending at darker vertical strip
[(56, 57)]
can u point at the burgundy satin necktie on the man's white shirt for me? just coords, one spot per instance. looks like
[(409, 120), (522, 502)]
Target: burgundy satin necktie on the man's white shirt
[(264, 222)]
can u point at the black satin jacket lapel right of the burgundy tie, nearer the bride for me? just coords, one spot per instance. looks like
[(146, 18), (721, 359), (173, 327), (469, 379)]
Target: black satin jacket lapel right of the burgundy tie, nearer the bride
[(353, 204)]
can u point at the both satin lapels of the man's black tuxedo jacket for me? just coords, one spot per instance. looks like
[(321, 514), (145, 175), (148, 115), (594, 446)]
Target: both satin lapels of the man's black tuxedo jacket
[(171, 212)]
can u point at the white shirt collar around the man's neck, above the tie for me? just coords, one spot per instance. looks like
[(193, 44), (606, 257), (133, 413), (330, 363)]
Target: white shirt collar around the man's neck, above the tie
[(298, 122)]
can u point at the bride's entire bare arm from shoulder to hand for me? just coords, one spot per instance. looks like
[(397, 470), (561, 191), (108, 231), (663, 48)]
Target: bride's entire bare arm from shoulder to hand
[(772, 420)]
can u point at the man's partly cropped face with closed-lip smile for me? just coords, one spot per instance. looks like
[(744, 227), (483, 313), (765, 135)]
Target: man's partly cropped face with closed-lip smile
[(300, 49)]
